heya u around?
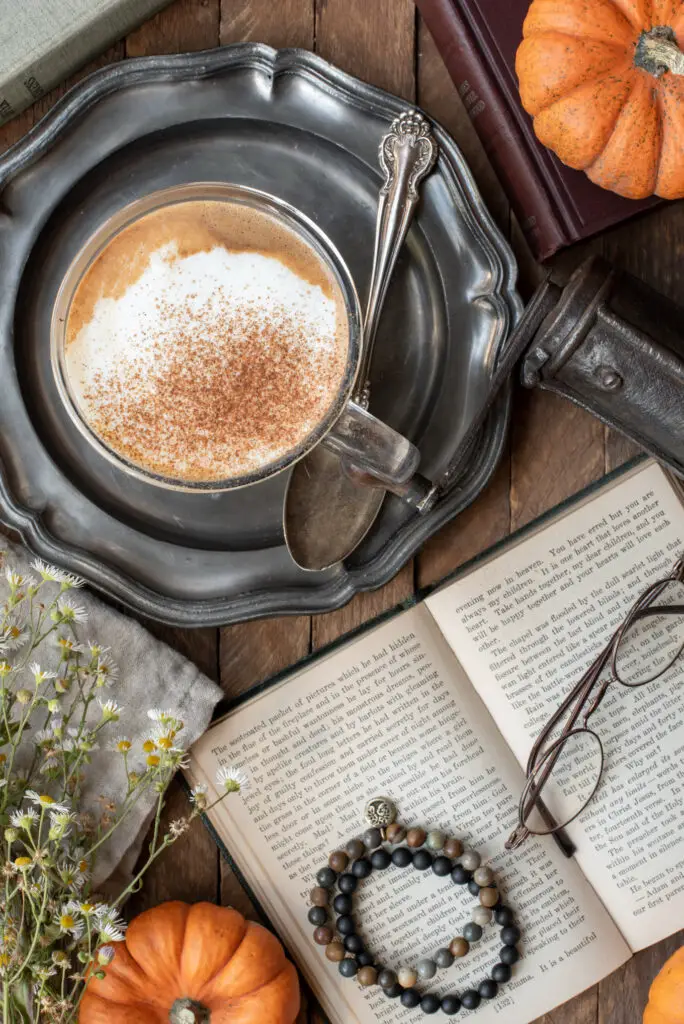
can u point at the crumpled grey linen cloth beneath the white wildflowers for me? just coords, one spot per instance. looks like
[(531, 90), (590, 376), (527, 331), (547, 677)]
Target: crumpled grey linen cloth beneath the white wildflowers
[(151, 676)]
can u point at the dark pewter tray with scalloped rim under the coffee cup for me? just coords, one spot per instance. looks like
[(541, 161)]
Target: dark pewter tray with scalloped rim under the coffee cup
[(288, 123)]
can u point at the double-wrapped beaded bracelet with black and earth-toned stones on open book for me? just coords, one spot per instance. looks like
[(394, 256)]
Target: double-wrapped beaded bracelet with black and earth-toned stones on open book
[(347, 868)]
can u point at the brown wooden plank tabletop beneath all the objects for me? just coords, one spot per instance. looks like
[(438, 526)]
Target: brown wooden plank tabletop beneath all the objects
[(555, 449)]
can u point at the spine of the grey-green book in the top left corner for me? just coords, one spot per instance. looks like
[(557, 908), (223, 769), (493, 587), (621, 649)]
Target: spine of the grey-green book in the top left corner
[(87, 40)]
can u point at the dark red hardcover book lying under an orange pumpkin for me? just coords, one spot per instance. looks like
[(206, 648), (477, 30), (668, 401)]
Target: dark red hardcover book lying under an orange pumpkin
[(555, 205)]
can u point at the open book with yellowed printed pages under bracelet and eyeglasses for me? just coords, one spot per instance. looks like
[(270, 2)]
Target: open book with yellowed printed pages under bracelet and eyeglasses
[(438, 708)]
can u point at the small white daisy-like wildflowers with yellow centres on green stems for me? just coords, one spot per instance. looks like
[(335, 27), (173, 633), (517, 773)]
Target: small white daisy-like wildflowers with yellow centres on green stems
[(55, 930)]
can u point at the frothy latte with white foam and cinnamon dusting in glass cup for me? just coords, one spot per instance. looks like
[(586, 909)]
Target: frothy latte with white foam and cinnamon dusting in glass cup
[(206, 342)]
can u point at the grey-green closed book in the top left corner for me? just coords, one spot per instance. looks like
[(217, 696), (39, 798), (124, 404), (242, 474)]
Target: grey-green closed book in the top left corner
[(44, 41)]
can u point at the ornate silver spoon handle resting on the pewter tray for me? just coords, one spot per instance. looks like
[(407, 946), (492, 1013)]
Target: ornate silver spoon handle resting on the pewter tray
[(407, 154)]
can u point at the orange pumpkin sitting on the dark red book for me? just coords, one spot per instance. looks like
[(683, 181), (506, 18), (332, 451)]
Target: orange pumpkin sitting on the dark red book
[(604, 82)]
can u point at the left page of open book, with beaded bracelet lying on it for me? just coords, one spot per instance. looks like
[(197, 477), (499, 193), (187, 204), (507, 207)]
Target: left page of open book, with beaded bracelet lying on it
[(394, 715)]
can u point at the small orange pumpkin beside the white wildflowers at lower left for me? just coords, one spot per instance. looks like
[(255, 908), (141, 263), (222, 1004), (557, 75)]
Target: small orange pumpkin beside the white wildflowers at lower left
[(187, 965)]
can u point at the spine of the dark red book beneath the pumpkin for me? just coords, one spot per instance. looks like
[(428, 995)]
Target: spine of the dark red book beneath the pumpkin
[(495, 125)]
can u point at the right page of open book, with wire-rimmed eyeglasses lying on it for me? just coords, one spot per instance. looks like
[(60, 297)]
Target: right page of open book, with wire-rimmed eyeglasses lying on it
[(530, 622)]
